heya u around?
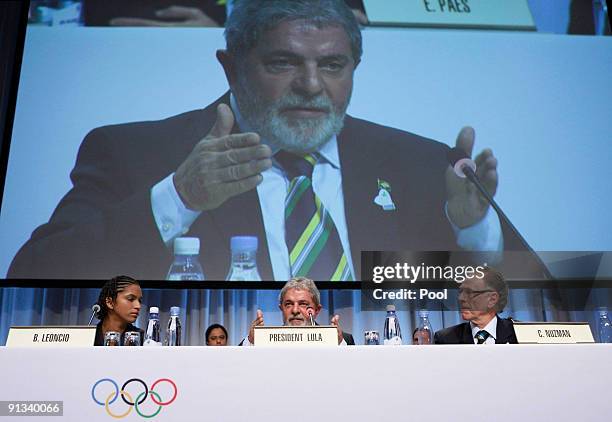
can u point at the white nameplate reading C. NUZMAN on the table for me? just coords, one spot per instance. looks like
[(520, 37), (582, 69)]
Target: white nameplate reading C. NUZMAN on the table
[(553, 332)]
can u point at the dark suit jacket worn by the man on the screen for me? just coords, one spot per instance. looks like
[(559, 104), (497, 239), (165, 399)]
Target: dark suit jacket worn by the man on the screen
[(104, 225)]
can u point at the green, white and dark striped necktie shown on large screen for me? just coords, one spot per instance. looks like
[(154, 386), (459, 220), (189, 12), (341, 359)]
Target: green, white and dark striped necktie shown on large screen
[(315, 250)]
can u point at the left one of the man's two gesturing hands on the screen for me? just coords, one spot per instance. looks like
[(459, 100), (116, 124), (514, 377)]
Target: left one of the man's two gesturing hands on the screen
[(221, 165)]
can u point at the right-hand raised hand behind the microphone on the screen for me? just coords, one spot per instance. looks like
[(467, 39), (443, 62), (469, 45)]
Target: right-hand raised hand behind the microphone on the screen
[(466, 206)]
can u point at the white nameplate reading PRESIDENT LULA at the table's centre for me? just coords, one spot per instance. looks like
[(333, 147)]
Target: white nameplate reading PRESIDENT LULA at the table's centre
[(309, 335)]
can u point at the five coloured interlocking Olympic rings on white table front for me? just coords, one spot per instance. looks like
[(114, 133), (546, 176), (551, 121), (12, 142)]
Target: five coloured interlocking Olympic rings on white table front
[(128, 398)]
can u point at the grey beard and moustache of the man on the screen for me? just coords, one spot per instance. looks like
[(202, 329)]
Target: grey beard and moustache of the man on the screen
[(300, 136)]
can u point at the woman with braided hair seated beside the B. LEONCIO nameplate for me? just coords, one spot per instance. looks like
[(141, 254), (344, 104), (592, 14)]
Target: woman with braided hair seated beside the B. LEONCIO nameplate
[(120, 301)]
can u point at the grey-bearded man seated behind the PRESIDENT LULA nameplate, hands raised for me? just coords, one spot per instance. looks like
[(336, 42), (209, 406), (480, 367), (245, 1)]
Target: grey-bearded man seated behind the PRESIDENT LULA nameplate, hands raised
[(297, 297)]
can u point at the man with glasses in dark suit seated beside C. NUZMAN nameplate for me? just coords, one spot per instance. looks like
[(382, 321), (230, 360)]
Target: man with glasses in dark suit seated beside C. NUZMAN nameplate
[(480, 301)]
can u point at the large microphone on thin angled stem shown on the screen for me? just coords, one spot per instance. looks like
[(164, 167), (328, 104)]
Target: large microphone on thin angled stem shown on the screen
[(464, 167)]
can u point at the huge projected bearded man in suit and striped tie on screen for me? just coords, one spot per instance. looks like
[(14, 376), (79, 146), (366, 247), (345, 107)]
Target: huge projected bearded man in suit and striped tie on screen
[(277, 158)]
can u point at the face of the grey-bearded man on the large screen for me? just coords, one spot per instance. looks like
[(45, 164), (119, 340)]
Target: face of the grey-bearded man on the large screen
[(295, 114)]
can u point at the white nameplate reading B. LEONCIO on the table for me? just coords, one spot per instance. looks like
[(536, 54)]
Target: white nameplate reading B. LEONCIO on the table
[(51, 336)]
